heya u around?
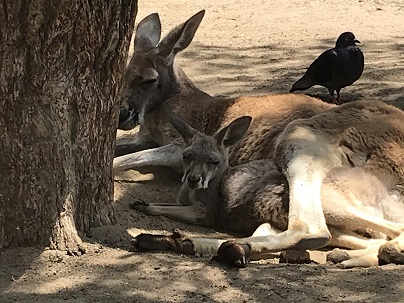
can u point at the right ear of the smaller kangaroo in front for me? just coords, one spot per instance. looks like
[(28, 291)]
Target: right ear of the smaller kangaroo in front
[(233, 133)]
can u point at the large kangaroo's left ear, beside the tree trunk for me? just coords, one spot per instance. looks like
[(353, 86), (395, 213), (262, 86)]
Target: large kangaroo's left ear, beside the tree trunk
[(148, 32)]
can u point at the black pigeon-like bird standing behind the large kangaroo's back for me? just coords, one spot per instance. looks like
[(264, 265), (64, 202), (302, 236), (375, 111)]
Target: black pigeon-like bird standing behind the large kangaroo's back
[(335, 68)]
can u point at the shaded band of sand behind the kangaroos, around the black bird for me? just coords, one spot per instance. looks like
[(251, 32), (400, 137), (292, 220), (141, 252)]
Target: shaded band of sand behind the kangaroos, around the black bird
[(241, 70)]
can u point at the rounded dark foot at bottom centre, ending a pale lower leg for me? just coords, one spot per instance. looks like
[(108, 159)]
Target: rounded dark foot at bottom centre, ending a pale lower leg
[(233, 254)]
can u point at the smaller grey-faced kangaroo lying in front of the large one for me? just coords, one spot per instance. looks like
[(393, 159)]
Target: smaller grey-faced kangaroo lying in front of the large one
[(362, 206)]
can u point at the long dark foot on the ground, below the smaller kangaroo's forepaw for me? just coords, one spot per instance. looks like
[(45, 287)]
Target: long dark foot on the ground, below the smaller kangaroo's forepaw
[(150, 242)]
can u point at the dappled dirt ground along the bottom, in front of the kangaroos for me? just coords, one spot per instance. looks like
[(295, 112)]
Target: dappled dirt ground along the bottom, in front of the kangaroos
[(133, 277)]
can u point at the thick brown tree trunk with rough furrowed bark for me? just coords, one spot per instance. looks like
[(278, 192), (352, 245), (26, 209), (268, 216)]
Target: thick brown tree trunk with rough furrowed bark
[(61, 64)]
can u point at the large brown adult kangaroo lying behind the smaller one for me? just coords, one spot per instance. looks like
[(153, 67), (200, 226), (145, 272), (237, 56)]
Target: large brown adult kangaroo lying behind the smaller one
[(305, 137)]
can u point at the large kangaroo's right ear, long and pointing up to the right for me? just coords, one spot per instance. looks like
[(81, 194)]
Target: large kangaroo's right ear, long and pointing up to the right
[(180, 37)]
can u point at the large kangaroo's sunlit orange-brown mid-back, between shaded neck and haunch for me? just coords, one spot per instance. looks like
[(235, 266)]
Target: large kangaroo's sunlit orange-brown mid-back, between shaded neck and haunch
[(271, 114)]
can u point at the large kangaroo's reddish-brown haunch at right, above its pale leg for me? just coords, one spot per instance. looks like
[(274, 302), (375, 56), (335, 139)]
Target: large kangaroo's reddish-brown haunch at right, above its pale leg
[(368, 134)]
